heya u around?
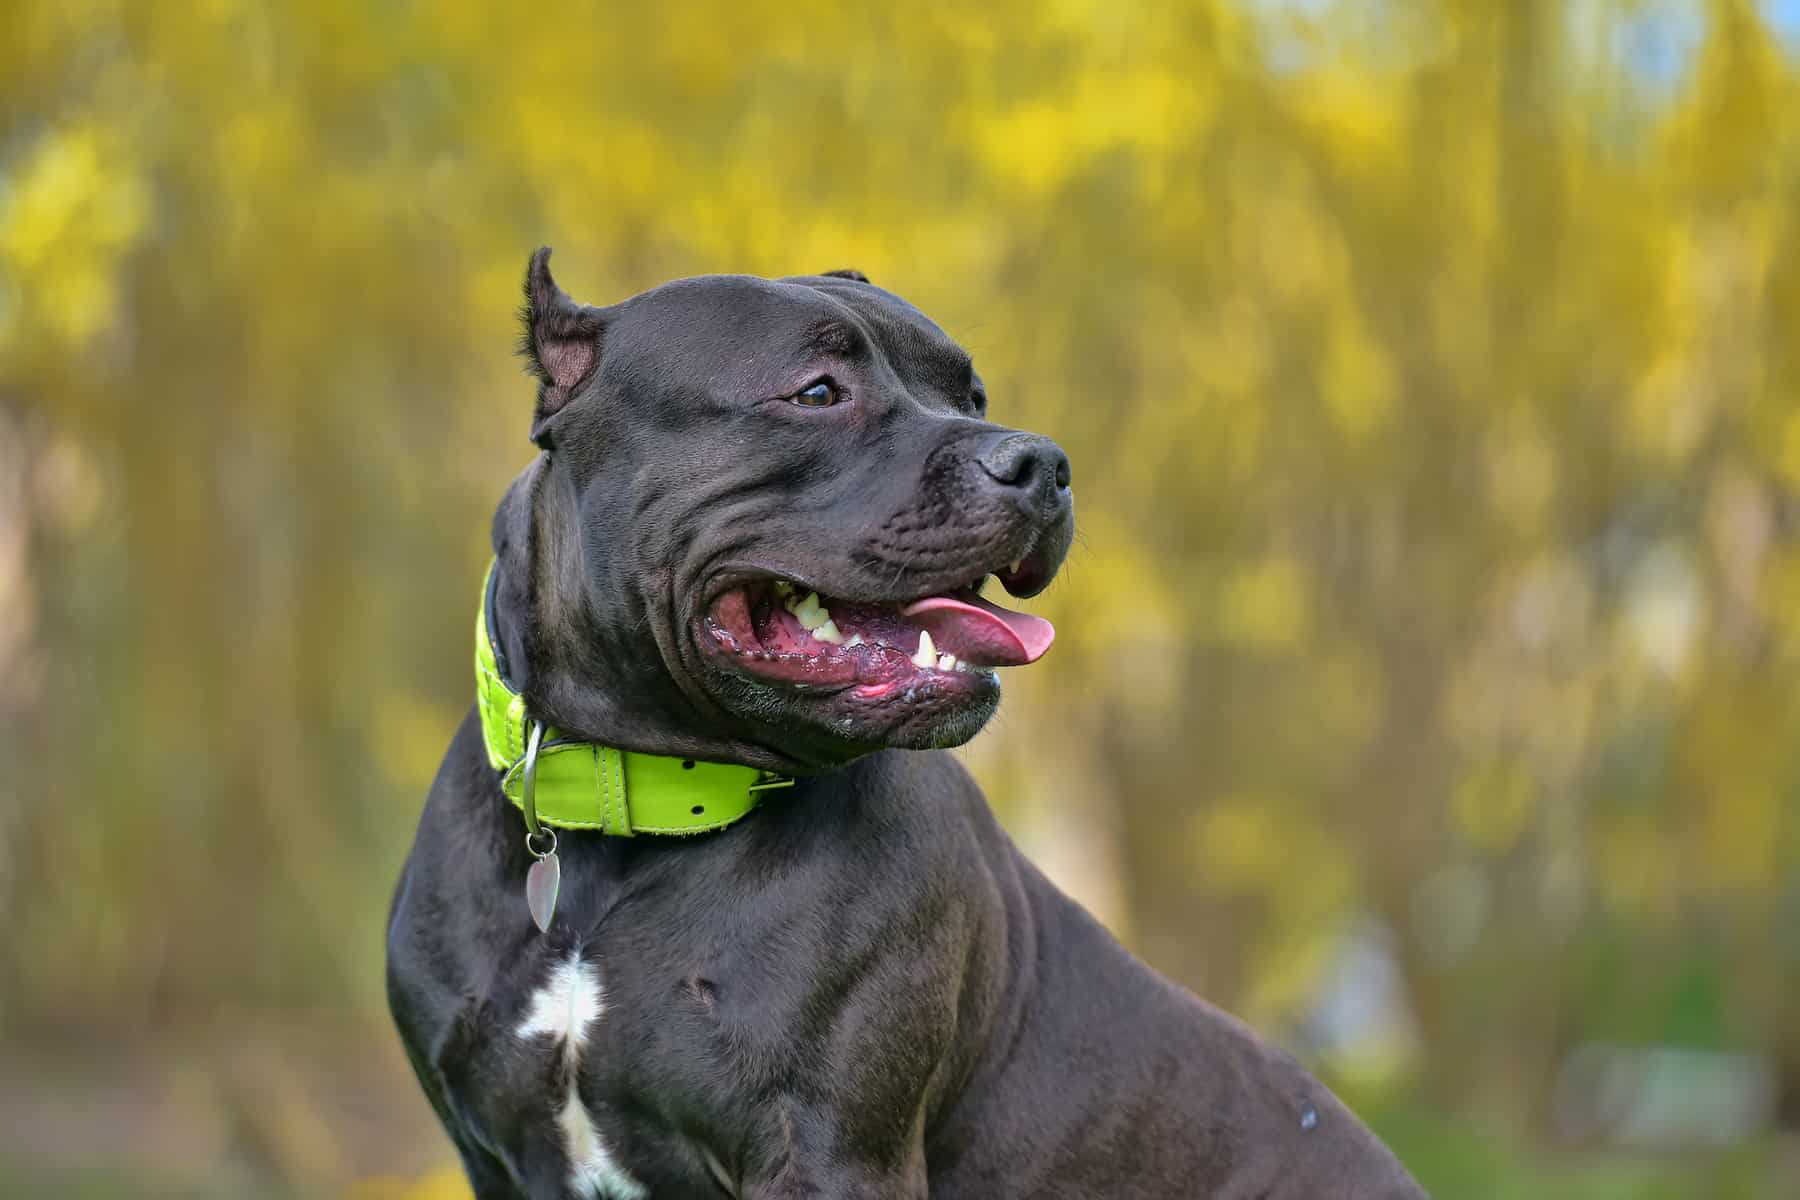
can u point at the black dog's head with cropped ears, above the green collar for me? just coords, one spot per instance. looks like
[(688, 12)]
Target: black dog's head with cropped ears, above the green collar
[(764, 515)]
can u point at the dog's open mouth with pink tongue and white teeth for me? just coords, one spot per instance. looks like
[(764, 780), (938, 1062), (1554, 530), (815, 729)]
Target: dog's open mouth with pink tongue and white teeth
[(786, 632)]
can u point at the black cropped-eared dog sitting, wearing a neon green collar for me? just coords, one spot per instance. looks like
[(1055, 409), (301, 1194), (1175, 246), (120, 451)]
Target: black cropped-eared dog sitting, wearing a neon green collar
[(699, 908)]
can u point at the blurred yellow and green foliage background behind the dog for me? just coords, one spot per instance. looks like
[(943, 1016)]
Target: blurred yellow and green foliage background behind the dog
[(1428, 683)]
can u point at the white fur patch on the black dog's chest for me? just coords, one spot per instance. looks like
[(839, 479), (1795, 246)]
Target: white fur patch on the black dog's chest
[(566, 1008)]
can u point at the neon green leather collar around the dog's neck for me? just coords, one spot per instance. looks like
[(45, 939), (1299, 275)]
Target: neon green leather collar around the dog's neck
[(584, 785)]
